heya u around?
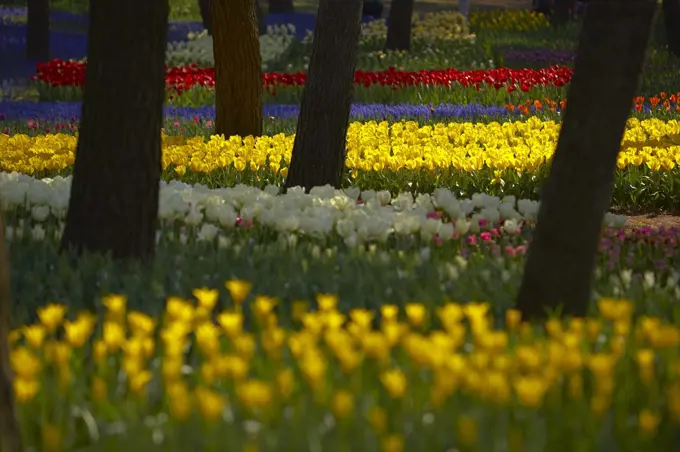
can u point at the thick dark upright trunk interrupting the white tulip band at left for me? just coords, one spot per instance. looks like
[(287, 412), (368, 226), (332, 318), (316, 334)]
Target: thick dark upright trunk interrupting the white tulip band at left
[(114, 196)]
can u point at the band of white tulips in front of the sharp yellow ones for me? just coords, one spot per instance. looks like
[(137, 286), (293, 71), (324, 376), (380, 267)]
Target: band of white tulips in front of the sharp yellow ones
[(357, 217)]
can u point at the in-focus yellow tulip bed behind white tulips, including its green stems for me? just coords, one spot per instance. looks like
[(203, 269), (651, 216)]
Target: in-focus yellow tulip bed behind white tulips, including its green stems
[(499, 159)]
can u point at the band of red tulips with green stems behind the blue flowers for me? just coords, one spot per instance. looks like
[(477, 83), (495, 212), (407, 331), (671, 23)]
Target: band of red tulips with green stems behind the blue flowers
[(194, 86)]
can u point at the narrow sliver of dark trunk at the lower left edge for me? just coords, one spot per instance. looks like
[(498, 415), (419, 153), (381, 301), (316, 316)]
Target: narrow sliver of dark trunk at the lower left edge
[(10, 433)]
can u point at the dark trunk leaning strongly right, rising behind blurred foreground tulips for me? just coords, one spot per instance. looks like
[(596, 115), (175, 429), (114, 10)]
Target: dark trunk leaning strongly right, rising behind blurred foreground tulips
[(574, 199)]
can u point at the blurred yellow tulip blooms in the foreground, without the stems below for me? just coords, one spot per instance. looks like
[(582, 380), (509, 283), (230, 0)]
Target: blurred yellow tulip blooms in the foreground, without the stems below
[(518, 367)]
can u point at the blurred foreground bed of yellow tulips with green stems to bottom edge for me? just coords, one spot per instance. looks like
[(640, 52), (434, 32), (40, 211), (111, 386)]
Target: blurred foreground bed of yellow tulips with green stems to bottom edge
[(410, 379)]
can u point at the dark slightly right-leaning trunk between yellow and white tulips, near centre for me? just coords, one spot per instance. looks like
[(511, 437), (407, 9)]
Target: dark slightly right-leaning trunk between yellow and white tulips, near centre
[(320, 142)]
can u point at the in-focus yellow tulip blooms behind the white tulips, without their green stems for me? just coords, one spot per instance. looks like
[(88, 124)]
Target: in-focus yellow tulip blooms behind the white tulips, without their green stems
[(520, 146)]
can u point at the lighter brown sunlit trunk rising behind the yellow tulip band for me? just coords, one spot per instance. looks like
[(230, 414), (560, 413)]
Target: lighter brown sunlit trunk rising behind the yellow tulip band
[(238, 71)]
